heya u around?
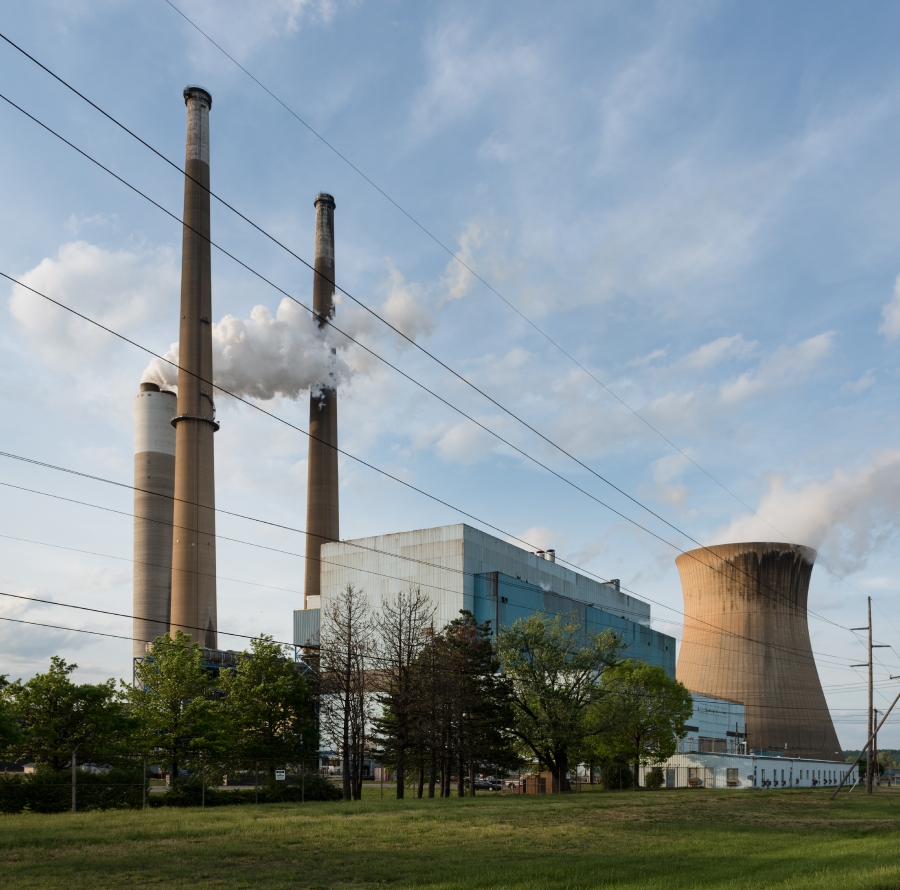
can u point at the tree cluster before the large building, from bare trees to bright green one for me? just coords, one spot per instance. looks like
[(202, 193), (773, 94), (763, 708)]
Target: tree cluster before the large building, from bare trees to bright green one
[(432, 705)]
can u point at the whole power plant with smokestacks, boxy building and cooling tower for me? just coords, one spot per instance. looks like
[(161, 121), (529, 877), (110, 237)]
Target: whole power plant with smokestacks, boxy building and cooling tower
[(745, 656)]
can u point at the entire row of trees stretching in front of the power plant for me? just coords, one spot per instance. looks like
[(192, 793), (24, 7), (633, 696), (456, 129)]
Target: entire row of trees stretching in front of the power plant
[(387, 685)]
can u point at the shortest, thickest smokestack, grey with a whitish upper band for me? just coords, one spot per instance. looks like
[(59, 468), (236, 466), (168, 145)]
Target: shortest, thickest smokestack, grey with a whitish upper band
[(154, 488)]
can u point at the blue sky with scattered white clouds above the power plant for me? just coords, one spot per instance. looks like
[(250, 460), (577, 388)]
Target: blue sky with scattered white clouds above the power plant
[(683, 221)]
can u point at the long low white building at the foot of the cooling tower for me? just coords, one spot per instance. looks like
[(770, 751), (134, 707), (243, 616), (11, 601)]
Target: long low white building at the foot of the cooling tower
[(717, 770)]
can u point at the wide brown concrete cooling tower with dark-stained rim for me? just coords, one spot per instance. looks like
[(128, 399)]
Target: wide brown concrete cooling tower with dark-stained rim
[(746, 638)]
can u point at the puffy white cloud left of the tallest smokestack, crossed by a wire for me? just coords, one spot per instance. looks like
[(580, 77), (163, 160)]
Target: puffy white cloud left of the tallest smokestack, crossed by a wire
[(120, 289)]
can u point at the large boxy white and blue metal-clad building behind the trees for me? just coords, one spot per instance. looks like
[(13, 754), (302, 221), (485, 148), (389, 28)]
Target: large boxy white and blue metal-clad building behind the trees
[(460, 567)]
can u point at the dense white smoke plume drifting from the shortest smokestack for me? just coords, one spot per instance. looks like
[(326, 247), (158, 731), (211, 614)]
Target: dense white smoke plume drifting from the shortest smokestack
[(264, 356)]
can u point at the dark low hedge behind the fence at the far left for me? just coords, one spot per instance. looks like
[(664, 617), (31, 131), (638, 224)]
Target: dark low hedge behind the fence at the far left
[(49, 791)]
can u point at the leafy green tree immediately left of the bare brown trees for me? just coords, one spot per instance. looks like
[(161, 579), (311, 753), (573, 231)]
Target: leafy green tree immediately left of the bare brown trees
[(268, 708)]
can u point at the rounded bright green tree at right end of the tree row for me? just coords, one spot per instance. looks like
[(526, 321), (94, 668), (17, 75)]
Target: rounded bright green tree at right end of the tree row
[(643, 713)]
